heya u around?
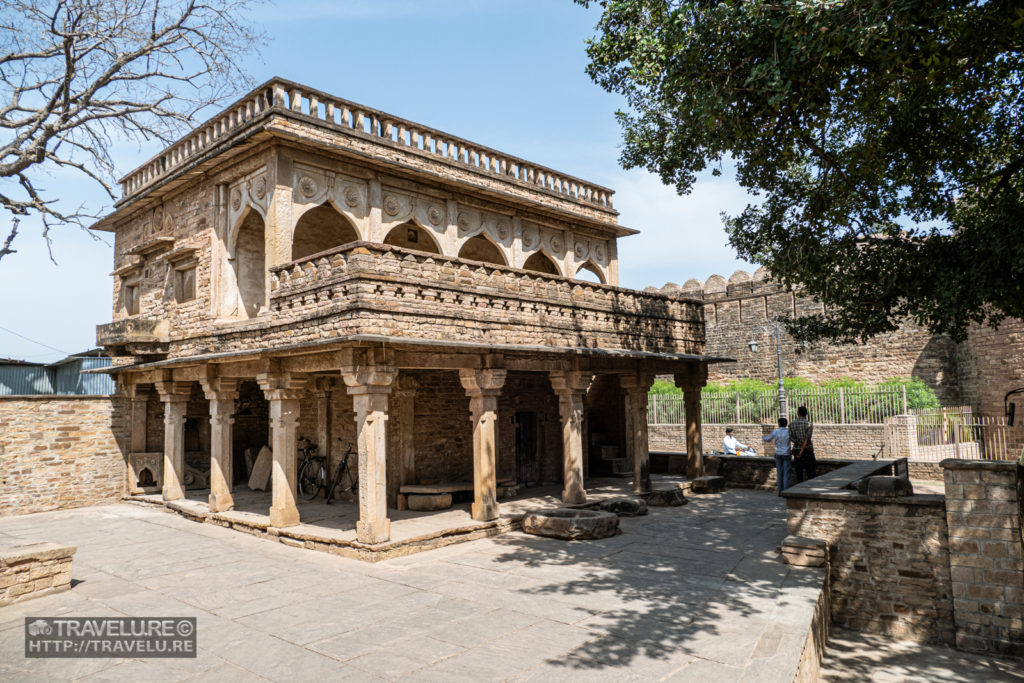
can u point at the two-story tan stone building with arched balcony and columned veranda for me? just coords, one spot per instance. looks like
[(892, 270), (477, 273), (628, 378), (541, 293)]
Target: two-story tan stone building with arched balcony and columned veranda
[(304, 266)]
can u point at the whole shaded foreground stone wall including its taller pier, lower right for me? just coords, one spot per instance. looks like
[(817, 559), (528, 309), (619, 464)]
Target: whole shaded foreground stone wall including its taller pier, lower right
[(938, 569)]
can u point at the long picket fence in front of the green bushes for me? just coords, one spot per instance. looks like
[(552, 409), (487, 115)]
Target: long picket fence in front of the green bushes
[(840, 406)]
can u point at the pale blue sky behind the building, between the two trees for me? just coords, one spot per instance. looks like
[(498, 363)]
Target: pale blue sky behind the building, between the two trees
[(508, 74)]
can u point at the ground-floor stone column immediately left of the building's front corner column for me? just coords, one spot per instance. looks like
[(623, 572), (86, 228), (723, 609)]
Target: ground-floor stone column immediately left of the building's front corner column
[(283, 392)]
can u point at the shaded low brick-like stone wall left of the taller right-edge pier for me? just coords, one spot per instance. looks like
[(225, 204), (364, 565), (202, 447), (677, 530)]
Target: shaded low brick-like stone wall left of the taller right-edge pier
[(889, 564)]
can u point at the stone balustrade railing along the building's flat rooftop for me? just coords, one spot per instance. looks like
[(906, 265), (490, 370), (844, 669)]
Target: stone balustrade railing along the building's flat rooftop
[(280, 96)]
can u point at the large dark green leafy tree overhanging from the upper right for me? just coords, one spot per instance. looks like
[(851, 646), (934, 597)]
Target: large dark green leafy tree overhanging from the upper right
[(884, 138)]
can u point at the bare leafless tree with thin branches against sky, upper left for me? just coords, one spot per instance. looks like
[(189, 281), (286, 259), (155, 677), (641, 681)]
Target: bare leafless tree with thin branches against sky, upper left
[(79, 75)]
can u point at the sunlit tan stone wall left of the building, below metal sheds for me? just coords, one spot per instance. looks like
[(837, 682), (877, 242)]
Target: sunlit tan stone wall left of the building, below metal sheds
[(61, 452)]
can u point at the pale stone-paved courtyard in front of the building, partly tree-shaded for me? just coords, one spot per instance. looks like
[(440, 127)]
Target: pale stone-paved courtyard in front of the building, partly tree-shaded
[(692, 593)]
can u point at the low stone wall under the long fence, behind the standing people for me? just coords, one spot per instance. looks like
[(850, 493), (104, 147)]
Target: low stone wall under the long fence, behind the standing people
[(844, 442)]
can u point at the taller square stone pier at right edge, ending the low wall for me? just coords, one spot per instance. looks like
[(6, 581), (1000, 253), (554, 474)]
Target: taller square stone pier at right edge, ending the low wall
[(985, 503)]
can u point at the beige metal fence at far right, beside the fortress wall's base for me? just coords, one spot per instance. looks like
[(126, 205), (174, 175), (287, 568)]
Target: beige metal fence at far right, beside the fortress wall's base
[(948, 433)]
